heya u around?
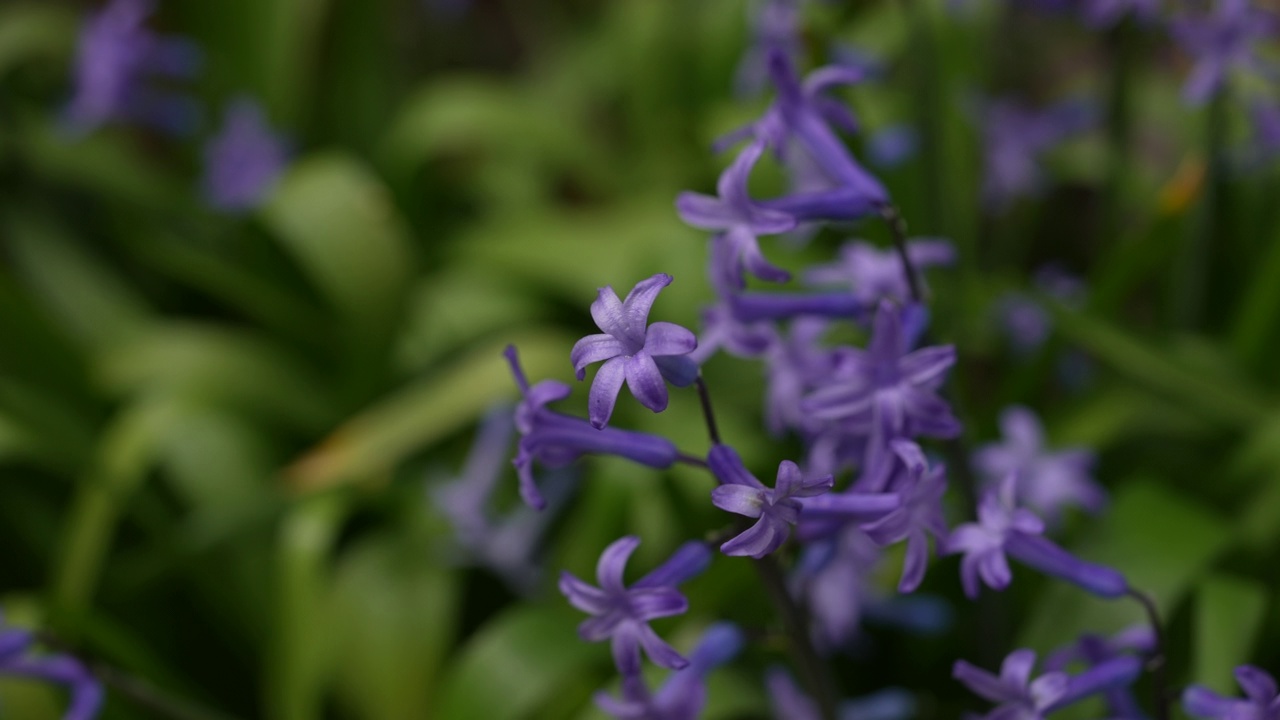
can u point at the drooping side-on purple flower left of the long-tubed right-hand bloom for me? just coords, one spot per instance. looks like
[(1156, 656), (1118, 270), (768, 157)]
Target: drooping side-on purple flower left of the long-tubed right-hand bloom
[(920, 514)]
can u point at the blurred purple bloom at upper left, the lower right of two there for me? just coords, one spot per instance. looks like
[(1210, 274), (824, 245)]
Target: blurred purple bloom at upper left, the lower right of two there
[(244, 161)]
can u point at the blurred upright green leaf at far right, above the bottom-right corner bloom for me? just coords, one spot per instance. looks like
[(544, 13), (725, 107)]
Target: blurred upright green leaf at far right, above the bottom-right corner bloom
[(1229, 613)]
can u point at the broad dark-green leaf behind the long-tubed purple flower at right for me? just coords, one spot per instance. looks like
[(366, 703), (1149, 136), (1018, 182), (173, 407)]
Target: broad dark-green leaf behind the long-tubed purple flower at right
[(1163, 544)]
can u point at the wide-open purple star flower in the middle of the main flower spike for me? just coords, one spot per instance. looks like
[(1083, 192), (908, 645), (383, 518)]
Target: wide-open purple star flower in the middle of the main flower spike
[(886, 391)]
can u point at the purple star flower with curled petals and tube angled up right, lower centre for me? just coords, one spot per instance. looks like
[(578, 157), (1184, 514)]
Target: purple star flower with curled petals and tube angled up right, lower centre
[(621, 614)]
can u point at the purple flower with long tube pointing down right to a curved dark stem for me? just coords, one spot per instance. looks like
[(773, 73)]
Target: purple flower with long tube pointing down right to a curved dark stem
[(1003, 528)]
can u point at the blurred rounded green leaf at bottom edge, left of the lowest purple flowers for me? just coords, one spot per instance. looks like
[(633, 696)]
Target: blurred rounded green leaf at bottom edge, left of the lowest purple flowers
[(515, 664)]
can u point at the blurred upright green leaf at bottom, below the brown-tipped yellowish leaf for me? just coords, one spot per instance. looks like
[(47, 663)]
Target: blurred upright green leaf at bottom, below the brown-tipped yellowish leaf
[(395, 614)]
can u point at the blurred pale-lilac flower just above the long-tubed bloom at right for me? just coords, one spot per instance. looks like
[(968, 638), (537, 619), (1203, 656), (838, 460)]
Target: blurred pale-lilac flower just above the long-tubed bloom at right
[(1048, 481)]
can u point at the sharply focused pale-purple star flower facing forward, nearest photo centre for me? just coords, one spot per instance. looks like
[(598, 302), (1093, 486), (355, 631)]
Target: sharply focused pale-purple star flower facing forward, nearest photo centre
[(644, 354)]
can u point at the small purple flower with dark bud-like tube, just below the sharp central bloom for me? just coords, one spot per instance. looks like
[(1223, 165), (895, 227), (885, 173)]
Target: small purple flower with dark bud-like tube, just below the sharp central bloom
[(744, 495)]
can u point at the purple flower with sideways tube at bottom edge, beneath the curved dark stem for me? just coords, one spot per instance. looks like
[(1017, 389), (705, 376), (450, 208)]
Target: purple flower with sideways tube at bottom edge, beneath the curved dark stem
[(1022, 699)]
